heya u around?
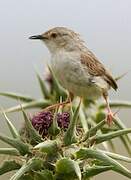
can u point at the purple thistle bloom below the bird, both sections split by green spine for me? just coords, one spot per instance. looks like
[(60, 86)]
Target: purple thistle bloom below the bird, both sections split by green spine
[(43, 120)]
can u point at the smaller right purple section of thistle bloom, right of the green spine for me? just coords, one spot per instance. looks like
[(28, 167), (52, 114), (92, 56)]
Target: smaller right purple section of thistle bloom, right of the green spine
[(63, 120)]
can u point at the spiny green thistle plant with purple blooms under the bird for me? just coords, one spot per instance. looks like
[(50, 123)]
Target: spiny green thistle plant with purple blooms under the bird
[(70, 142)]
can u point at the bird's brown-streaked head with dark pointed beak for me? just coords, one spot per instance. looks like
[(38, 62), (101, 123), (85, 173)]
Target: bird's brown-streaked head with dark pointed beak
[(59, 37)]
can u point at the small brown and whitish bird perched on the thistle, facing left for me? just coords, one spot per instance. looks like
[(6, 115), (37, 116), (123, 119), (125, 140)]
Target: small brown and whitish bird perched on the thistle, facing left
[(76, 67)]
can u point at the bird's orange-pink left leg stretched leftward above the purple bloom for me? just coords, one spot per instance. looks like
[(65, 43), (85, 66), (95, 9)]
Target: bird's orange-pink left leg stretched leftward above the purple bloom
[(68, 101)]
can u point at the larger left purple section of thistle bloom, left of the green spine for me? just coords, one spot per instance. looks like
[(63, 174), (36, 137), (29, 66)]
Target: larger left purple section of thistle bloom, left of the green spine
[(42, 121)]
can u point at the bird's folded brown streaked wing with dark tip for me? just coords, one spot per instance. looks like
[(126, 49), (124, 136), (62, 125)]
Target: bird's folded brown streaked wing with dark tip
[(96, 68)]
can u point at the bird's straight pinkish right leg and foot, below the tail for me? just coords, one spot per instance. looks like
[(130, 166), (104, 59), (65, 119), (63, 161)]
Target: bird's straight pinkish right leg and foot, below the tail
[(110, 115)]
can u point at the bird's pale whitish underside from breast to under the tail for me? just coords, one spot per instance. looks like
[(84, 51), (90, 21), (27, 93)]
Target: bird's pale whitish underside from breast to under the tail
[(75, 77)]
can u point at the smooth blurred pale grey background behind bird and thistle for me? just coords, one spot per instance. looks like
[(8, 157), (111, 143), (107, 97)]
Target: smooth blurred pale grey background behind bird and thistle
[(104, 25)]
